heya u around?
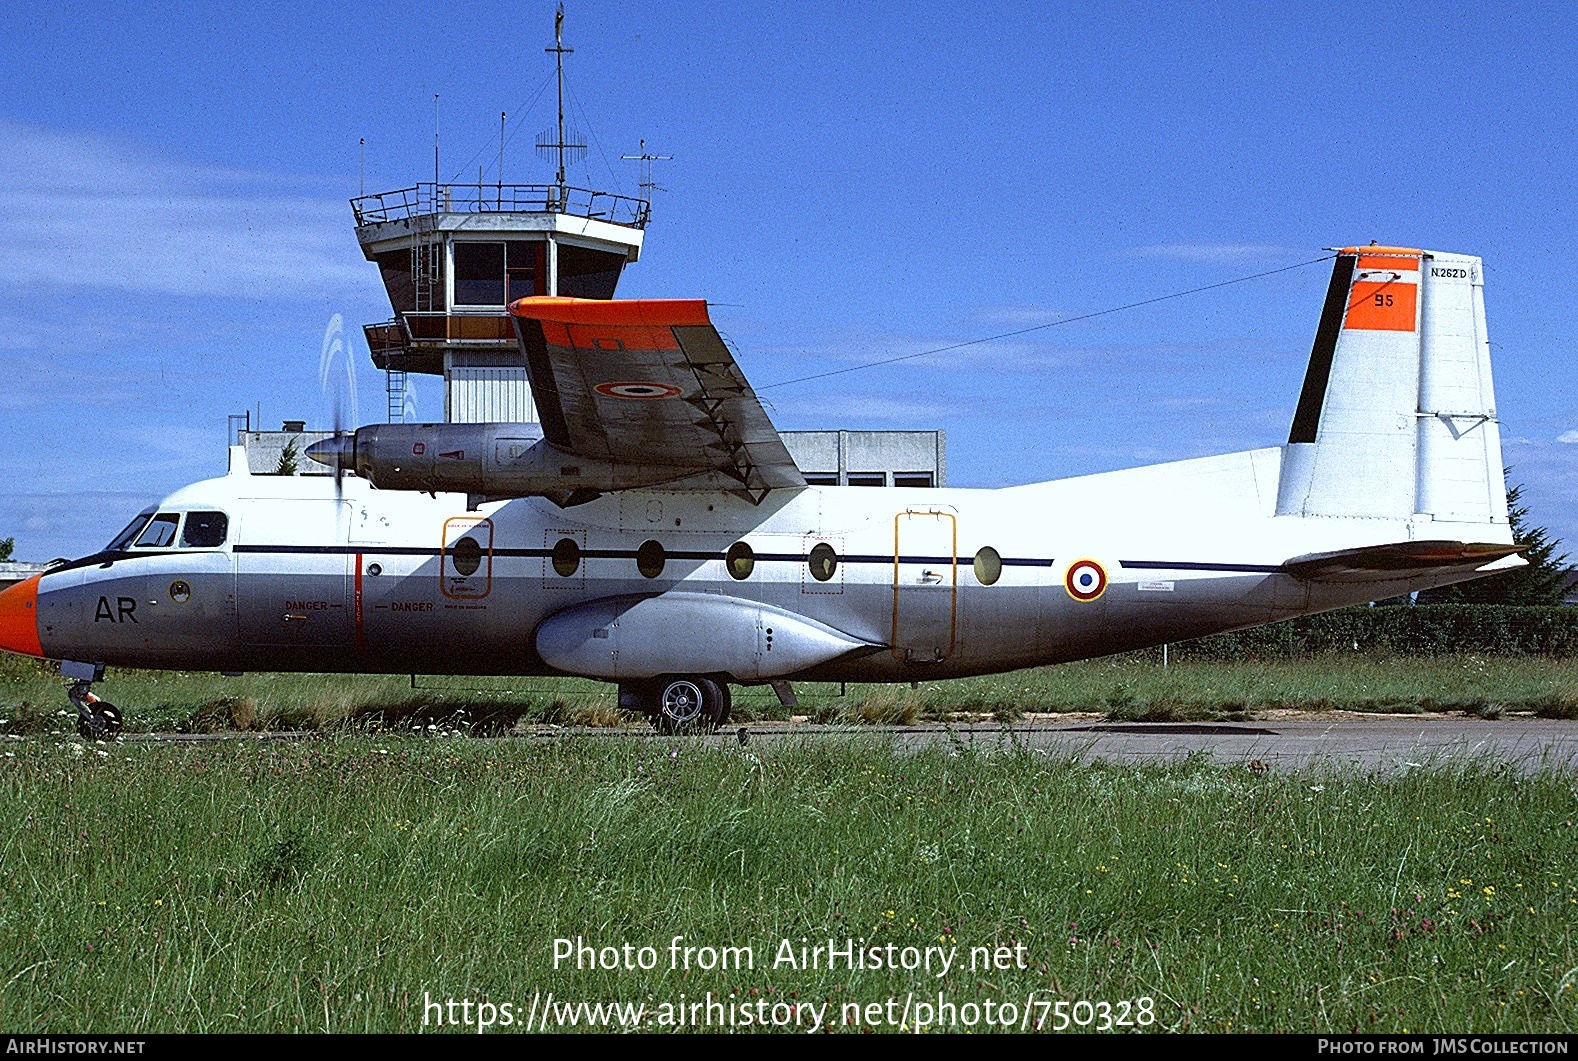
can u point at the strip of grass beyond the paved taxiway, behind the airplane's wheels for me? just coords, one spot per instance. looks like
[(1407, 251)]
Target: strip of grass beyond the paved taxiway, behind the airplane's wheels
[(1134, 688)]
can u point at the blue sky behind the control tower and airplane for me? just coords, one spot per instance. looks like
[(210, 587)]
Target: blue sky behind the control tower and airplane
[(851, 182)]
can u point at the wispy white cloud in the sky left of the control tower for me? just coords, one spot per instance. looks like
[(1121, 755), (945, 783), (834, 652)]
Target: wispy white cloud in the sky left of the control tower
[(91, 214)]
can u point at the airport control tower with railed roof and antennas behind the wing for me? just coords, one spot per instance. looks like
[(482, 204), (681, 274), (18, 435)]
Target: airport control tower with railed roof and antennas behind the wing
[(454, 257)]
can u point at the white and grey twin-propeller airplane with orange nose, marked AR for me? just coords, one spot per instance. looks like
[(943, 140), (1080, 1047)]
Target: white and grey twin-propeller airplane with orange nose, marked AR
[(654, 533)]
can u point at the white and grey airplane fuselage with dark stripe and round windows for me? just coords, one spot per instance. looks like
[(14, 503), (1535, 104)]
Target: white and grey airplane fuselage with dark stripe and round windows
[(922, 583)]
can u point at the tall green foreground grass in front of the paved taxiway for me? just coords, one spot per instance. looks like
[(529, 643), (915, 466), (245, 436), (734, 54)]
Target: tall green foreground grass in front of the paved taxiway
[(337, 883)]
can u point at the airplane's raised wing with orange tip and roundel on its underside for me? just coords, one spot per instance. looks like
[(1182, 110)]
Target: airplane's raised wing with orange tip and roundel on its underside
[(649, 383)]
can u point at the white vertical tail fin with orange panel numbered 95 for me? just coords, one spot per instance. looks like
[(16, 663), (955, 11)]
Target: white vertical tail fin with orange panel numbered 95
[(1397, 418)]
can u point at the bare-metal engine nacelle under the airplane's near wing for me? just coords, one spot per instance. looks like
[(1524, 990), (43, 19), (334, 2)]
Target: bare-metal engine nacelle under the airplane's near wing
[(499, 460)]
